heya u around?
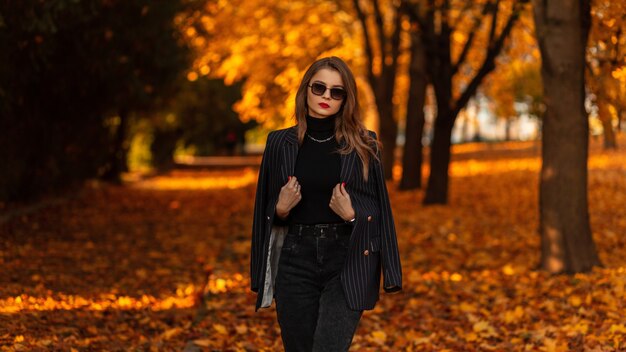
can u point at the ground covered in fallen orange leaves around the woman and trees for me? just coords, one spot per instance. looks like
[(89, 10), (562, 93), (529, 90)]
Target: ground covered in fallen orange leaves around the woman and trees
[(161, 264)]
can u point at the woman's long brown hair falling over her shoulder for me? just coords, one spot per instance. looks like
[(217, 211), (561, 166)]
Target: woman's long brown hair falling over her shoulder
[(348, 124)]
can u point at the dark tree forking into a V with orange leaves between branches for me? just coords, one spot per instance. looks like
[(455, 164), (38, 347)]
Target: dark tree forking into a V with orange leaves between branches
[(439, 22)]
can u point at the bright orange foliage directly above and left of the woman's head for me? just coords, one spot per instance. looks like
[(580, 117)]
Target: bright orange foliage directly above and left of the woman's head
[(268, 50)]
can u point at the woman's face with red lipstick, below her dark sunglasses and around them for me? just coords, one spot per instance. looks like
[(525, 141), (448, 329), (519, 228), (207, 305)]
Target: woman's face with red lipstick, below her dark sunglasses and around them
[(322, 106)]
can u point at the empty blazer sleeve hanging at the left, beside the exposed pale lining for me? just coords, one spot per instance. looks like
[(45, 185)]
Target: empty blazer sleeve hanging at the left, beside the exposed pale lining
[(258, 222)]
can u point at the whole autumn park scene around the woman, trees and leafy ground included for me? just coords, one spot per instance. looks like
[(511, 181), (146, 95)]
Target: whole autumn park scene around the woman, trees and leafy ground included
[(131, 132)]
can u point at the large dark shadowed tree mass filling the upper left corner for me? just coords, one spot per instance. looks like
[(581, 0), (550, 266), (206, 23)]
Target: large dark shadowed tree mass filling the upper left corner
[(70, 74)]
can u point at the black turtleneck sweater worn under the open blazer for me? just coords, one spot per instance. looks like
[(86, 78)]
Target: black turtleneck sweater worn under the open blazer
[(317, 170)]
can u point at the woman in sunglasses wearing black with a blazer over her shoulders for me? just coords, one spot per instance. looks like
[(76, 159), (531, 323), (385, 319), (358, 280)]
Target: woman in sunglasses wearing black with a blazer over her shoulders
[(322, 224)]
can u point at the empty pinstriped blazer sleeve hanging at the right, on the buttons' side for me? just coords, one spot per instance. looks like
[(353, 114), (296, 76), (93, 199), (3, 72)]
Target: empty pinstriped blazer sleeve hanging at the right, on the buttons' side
[(392, 269)]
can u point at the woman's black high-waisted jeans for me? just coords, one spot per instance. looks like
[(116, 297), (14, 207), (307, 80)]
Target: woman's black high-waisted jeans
[(310, 303)]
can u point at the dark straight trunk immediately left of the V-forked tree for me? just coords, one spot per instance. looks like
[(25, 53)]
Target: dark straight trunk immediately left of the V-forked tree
[(412, 155)]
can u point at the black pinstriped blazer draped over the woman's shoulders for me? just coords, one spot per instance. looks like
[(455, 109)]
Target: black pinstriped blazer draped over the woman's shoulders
[(373, 240)]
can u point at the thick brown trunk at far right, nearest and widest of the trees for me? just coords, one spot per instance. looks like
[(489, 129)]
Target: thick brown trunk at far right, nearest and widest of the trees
[(562, 28)]
